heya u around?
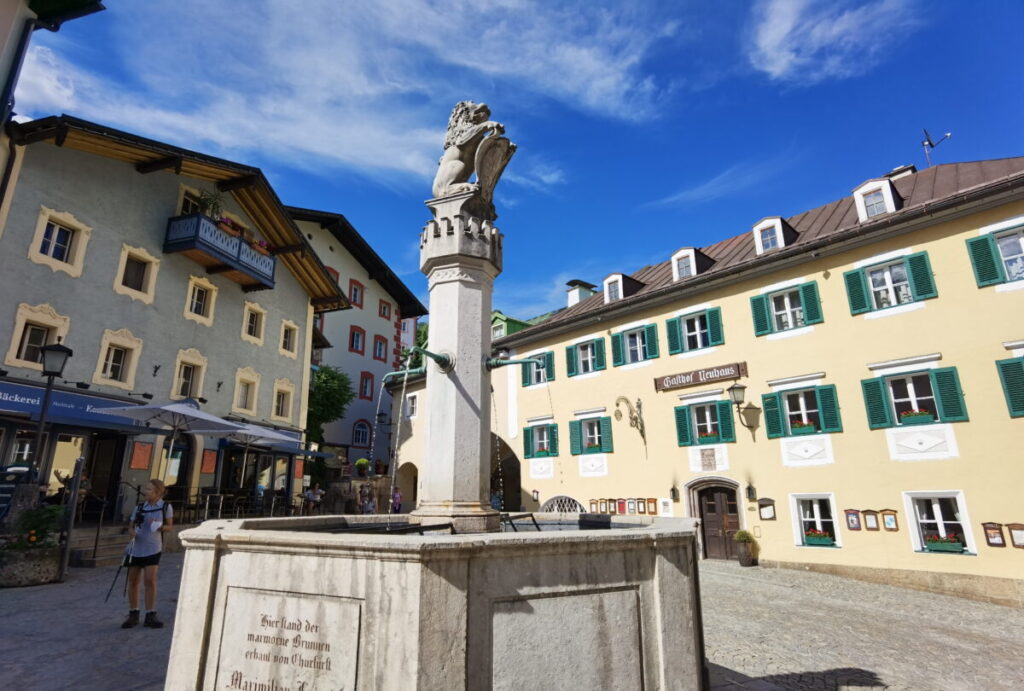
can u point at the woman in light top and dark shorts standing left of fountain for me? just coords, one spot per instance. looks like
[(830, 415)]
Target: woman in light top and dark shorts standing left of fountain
[(150, 522)]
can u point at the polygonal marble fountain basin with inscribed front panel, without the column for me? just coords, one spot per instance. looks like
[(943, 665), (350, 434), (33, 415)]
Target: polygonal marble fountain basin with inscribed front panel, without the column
[(277, 604)]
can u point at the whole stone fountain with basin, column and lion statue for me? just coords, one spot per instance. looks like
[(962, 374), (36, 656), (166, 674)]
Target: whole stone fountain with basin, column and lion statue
[(444, 598)]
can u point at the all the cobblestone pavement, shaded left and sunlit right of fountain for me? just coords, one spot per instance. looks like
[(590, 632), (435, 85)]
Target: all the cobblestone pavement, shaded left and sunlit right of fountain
[(765, 630)]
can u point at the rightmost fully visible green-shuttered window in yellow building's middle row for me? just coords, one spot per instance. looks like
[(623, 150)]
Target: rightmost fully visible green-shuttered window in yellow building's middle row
[(915, 399)]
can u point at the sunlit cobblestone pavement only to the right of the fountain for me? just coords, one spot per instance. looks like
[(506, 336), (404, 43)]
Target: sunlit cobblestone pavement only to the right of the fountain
[(767, 629)]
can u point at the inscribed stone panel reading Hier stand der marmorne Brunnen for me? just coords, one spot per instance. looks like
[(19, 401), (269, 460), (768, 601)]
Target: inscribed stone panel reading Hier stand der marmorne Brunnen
[(275, 641)]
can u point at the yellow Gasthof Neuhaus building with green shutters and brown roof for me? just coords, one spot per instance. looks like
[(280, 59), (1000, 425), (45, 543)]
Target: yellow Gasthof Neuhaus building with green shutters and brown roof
[(881, 342)]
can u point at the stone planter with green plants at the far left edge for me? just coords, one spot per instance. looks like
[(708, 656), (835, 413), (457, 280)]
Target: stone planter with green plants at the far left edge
[(32, 555)]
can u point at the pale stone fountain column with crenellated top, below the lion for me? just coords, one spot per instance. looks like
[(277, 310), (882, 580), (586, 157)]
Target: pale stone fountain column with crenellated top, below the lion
[(461, 255)]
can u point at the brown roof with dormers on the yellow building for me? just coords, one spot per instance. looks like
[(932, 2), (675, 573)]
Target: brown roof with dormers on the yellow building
[(928, 187)]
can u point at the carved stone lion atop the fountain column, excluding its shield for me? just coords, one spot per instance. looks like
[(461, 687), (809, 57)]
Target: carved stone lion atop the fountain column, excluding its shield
[(467, 128)]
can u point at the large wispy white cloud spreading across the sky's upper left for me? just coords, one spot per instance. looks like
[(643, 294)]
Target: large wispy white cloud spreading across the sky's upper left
[(361, 87)]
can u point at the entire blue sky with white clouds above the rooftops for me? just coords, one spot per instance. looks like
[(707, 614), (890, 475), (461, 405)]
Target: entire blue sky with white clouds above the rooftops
[(643, 126)]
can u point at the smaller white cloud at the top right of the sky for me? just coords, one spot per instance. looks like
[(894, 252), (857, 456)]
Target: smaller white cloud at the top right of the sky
[(808, 41)]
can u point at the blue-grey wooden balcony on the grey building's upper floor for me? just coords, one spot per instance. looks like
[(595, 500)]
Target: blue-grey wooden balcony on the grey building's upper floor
[(199, 239)]
